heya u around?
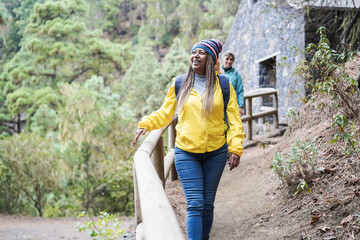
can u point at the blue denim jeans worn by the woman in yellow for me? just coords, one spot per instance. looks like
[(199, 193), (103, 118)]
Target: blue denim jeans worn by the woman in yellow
[(200, 175)]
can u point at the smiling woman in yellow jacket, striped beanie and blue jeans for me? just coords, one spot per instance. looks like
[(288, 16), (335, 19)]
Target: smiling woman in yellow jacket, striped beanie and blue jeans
[(203, 137)]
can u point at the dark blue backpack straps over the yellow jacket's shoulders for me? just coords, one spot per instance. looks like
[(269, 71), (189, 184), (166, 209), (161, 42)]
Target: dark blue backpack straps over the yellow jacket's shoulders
[(225, 89)]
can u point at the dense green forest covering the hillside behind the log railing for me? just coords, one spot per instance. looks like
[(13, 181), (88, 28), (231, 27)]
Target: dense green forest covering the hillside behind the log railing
[(75, 76)]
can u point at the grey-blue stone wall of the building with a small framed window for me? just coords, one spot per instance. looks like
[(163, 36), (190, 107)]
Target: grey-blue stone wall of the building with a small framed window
[(261, 35)]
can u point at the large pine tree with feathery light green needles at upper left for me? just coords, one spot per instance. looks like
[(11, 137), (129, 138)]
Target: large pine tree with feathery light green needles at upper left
[(58, 46)]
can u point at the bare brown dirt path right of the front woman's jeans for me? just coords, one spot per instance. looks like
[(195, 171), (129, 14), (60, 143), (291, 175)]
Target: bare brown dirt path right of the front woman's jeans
[(247, 198)]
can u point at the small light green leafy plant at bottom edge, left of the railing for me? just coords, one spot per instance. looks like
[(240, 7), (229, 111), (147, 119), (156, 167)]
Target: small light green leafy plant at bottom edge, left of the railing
[(106, 227)]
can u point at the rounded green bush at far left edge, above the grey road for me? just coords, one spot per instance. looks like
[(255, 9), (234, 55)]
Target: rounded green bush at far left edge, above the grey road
[(30, 169)]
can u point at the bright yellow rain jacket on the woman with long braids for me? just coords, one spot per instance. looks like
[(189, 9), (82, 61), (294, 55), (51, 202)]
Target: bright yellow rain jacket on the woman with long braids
[(194, 134)]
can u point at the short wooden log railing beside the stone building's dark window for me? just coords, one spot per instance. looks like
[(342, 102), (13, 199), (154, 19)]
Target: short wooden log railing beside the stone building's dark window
[(264, 110)]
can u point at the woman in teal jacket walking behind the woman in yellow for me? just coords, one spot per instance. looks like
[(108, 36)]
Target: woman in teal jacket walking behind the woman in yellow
[(235, 79)]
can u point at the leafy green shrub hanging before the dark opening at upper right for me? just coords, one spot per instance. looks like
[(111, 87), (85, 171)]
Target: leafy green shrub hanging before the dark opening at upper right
[(324, 74)]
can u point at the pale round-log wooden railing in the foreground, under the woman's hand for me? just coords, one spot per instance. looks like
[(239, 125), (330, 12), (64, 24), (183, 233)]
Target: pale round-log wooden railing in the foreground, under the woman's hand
[(155, 217)]
